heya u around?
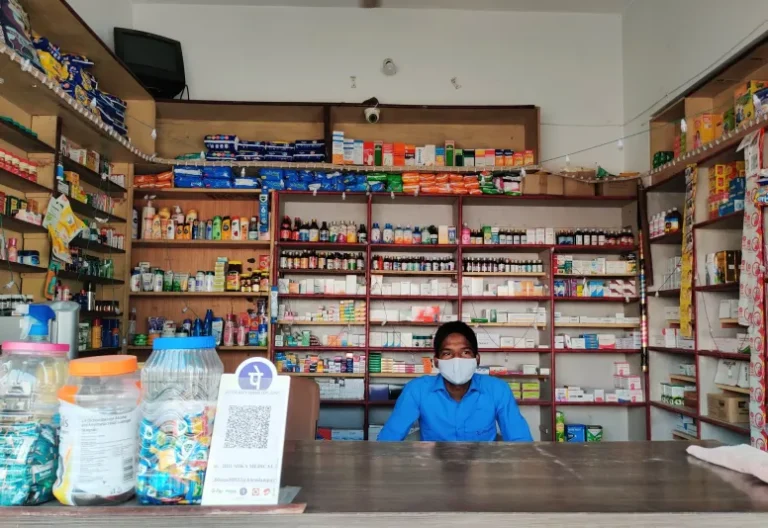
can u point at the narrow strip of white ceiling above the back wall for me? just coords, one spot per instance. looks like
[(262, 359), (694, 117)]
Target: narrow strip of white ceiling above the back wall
[(571, 6)]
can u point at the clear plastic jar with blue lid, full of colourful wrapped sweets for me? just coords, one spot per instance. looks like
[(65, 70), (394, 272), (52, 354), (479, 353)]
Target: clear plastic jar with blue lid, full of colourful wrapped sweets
[(180, 387)]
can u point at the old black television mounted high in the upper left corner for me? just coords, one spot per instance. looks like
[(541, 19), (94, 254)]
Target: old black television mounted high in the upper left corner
[(156, 61)]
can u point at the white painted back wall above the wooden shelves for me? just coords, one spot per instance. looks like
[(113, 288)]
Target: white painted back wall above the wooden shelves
[(568, 64)]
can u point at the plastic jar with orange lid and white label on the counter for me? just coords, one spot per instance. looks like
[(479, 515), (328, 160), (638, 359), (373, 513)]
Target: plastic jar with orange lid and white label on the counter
[(99, 410)]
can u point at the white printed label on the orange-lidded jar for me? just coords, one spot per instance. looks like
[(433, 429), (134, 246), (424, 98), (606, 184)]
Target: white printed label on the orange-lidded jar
[(97, 452)]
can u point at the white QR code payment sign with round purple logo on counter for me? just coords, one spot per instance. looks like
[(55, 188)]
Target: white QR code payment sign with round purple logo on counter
[(247, 446)]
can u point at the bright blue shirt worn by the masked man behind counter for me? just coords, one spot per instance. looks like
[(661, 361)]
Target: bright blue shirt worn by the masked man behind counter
[(443, 419)]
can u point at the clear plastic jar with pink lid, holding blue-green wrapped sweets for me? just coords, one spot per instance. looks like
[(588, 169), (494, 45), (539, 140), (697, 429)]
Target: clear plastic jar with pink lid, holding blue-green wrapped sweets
[(30, 376)]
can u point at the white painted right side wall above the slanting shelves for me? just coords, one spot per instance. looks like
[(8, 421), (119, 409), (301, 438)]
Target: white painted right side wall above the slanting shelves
[(661, 55)]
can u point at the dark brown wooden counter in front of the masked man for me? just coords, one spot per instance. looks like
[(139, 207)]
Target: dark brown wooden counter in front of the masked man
[(444, 485)]
